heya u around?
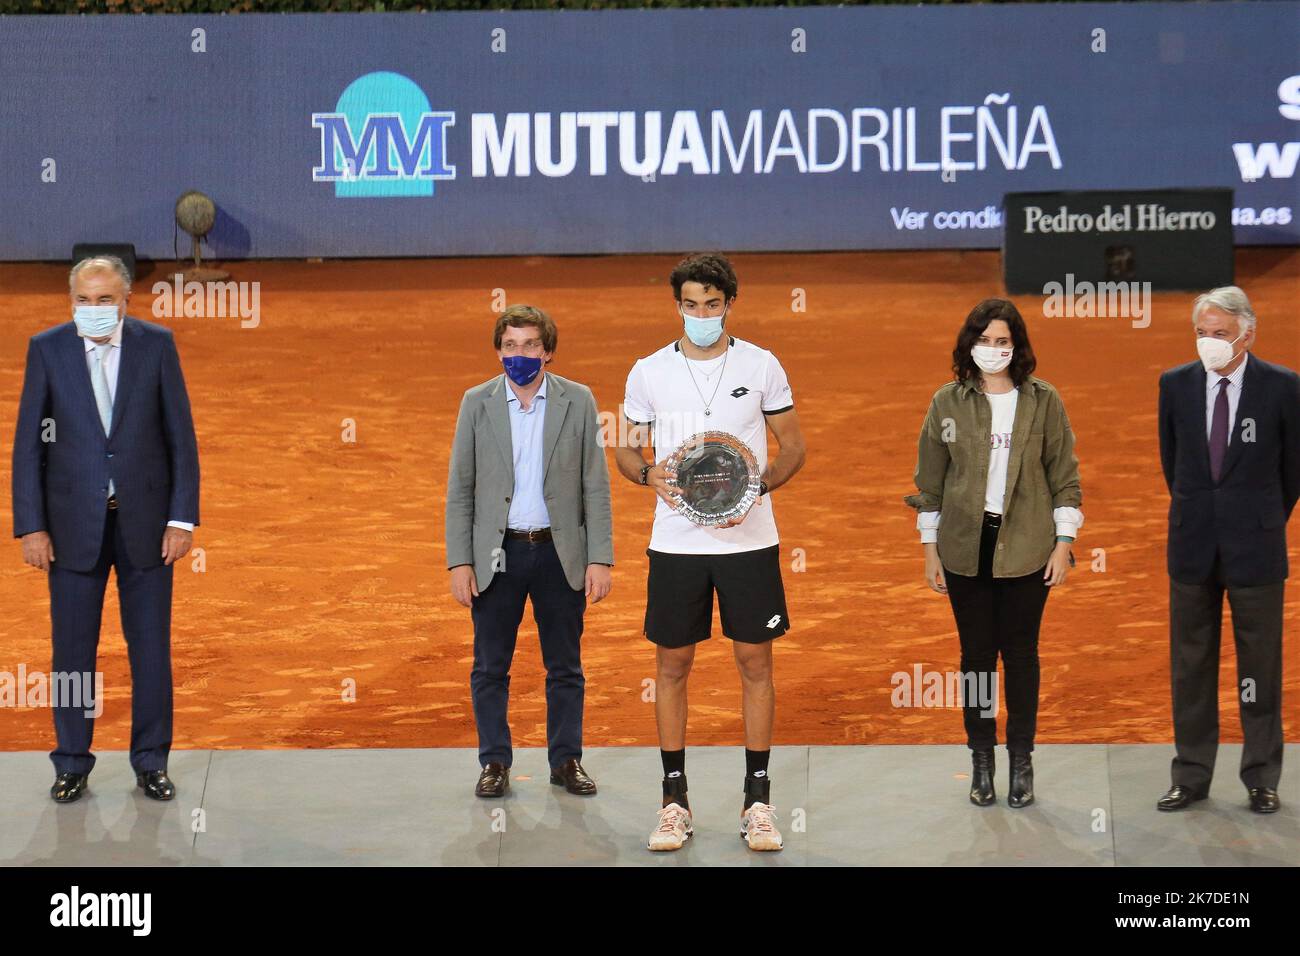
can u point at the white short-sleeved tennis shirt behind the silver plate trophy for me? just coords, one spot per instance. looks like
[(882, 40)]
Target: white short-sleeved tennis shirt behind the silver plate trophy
[(662, 391)]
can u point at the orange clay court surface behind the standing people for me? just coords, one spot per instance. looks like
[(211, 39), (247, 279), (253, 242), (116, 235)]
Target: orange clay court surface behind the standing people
[(324, 560)]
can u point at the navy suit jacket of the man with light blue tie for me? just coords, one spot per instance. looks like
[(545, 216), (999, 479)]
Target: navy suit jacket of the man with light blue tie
[(60, 486)]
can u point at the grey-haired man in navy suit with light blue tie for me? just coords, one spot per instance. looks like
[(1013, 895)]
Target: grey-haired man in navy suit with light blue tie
[(106, 475)]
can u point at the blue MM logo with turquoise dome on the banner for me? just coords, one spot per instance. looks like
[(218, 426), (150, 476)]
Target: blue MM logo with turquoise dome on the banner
[(383, 140)]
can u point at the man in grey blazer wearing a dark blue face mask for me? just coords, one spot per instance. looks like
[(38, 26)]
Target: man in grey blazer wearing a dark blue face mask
[(528, 517)]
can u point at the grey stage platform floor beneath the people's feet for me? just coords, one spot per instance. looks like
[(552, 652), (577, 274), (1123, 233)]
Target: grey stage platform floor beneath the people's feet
[(876, 806)]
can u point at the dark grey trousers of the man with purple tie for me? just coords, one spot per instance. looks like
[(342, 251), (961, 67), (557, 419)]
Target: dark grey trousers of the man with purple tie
[(1195, 621)]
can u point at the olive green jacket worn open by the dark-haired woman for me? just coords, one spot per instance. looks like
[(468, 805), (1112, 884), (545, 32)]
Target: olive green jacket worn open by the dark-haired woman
[(952, 474)]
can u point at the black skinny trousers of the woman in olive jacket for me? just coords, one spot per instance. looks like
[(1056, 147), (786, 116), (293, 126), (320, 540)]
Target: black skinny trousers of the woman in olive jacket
[(999, 616)]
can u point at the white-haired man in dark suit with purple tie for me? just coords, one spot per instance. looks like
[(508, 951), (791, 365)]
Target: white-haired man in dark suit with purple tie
[(1230, 448)]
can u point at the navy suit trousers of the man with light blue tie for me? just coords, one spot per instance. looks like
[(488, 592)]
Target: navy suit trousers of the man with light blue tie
[(76, 611)]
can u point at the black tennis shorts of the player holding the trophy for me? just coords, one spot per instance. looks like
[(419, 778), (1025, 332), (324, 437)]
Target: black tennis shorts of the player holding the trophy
[(681, 598)]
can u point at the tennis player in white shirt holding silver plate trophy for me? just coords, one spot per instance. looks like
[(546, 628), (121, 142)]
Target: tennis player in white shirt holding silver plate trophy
[(708, 400)]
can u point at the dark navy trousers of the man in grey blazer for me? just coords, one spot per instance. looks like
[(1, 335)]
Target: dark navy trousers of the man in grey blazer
[(531, 572)]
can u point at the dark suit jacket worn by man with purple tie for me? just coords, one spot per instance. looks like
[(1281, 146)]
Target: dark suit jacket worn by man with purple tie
[(1245, 514)]
